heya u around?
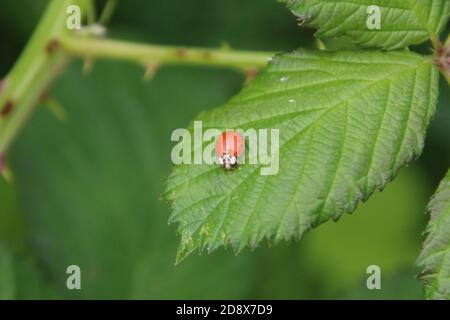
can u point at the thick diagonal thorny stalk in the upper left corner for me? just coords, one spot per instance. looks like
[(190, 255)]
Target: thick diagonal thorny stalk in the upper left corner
[(35, 69)]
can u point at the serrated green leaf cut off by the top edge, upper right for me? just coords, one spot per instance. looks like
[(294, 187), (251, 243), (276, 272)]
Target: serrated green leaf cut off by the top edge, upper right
[(403, 22)]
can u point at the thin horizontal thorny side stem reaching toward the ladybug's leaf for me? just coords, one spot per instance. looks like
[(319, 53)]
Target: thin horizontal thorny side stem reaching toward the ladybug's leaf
[(151, 55)]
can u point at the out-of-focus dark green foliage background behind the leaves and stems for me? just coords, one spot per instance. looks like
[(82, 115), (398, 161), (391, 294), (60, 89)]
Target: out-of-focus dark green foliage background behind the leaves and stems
[(87, 190)]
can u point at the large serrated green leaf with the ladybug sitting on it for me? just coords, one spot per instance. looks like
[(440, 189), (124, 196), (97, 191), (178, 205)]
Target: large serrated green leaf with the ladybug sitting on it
[(348, 121)]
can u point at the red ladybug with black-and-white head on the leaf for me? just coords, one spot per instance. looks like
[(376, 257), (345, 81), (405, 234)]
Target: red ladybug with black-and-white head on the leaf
[(229, 147)]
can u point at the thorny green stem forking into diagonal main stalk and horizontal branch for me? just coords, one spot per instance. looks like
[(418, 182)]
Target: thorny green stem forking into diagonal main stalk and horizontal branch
[(52, 44)]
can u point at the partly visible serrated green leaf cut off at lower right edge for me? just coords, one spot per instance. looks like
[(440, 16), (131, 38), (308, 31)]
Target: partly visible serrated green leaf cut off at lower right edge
[(434, 260)]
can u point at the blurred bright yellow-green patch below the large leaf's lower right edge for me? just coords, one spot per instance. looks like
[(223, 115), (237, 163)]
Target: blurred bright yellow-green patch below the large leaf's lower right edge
[(383, 232)]
